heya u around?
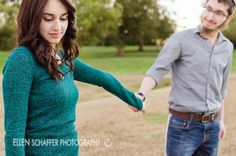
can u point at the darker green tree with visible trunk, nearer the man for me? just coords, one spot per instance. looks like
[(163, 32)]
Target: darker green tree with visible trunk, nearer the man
[(142, 23)]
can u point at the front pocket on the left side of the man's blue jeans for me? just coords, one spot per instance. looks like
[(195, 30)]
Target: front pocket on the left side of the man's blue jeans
[(179, 122)]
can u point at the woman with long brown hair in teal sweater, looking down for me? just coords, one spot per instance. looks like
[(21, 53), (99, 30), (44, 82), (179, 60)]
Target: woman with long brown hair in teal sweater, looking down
[(38, 81)]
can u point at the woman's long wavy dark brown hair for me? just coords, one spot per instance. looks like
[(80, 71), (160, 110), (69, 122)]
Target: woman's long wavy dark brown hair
[(29, 19)]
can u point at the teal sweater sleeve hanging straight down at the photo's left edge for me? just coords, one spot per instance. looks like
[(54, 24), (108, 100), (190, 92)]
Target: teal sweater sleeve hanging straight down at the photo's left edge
[(17, 80)]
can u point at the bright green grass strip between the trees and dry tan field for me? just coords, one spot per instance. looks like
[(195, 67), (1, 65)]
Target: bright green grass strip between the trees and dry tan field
[(105, 59)]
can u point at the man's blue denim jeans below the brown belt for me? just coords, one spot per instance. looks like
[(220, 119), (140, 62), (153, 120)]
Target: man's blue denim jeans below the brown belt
[(192, 138)]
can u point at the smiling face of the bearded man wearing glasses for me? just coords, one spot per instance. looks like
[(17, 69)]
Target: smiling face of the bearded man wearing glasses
[(214, 15)]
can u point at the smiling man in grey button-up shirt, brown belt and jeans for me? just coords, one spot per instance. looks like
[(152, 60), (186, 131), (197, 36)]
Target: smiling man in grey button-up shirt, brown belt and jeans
[(200, 60)]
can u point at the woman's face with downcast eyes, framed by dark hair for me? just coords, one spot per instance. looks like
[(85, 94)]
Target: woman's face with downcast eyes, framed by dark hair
[(54, 22)]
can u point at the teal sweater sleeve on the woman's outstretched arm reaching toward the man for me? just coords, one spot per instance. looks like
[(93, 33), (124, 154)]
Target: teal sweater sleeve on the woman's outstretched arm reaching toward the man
[(91, 75)]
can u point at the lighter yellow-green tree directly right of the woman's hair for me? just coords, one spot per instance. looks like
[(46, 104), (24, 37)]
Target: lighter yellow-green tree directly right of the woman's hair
[(96, 20)]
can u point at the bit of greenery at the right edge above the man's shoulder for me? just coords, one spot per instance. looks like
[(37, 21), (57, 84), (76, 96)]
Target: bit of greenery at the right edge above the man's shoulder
[(230, 32)]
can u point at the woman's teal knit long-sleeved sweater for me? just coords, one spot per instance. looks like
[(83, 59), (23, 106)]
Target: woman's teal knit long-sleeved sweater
[(39, 112)]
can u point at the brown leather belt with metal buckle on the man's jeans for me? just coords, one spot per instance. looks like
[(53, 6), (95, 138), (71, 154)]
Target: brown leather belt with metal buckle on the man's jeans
[(195, 116)]
